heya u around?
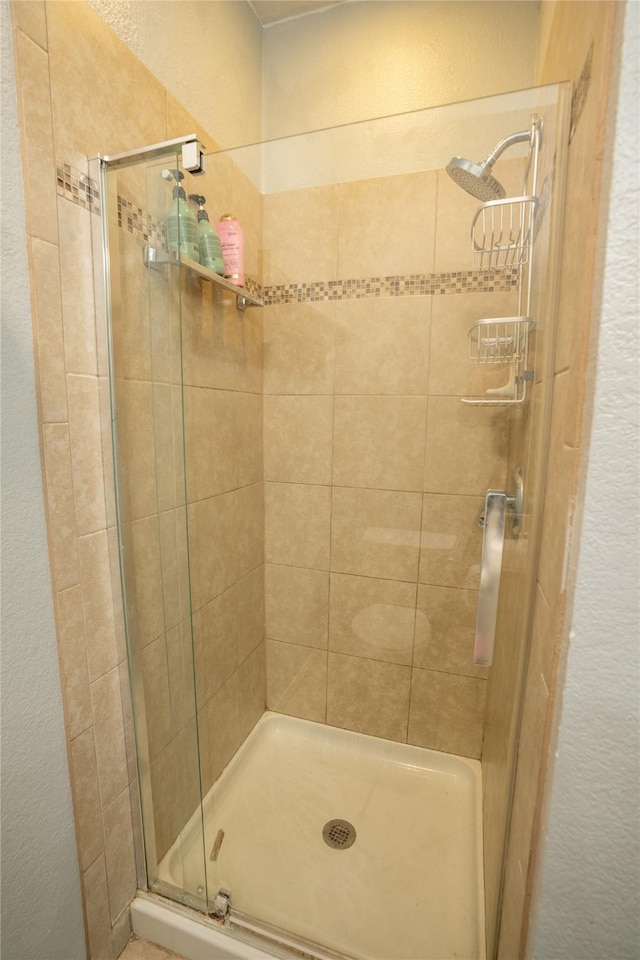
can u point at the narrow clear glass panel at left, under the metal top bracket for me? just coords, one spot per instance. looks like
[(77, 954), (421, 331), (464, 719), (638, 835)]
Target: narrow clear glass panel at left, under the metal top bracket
[(147, 398)]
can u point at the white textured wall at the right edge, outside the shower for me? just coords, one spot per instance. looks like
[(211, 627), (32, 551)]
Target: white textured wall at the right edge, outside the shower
[(588, 903)]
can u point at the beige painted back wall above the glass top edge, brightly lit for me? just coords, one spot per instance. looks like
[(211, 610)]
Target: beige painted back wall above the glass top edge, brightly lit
[(361, 60)]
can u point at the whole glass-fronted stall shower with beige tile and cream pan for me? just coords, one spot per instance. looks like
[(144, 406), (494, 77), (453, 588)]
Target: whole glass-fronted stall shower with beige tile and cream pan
[(328, 487)]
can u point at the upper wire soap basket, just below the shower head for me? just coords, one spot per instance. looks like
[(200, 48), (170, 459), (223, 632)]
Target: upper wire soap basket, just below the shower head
[(502, 233)]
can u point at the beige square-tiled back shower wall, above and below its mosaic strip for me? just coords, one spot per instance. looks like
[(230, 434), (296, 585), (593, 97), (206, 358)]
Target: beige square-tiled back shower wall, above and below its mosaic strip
[(375, 472)]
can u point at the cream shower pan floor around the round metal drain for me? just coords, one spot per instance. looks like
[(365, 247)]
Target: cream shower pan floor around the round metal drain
[(408, 887)]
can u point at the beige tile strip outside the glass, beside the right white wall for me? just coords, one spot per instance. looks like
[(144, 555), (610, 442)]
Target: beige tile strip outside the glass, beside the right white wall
[(575, 27)]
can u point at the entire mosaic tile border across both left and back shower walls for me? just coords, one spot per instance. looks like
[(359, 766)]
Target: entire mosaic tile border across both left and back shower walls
[(83, 191)]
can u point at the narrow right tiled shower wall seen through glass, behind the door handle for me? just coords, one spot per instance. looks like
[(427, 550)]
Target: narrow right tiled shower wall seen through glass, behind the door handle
[(528, 448)]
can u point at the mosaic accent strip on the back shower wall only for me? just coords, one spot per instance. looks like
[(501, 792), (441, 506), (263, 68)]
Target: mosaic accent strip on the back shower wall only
[(413, 285)]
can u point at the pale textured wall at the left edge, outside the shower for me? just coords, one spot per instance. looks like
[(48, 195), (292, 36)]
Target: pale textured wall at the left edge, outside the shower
[(39, 860)]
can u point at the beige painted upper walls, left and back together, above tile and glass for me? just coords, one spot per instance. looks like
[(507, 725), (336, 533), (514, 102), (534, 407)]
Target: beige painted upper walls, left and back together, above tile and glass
[(348, 63)]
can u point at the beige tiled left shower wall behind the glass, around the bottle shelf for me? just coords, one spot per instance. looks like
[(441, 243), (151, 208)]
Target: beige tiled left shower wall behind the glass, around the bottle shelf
[(190, 471)]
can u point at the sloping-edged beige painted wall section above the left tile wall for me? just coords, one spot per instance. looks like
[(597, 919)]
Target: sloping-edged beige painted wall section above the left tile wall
[(208, 53)]
